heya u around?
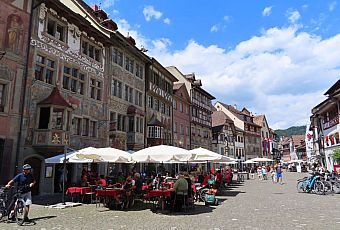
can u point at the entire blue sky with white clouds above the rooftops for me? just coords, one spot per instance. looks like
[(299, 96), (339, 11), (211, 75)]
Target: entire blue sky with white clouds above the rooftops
[(274, 57)]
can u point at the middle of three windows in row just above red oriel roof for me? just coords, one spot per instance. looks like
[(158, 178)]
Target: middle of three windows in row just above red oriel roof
[(73, 80)]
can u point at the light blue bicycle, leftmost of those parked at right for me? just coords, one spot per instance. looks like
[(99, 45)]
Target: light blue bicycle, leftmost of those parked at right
[(311, 184)]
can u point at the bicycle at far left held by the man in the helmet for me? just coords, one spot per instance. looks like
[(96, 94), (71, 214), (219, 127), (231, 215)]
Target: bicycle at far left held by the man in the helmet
[(16, 203)]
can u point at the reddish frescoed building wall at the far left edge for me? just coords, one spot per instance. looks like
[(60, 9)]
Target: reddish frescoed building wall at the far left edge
[(14, 25)]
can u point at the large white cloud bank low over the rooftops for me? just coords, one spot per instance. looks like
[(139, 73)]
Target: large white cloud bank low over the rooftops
[(282, 73)]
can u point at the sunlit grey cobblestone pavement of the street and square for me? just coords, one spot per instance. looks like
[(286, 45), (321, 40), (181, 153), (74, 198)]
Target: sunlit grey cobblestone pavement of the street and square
[(252, 205)]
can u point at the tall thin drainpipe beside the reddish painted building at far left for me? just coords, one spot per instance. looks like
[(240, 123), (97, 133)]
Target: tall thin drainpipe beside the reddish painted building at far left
[(22, 109)]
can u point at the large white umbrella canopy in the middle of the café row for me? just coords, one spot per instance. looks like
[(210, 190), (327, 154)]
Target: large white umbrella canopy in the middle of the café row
[(162, 153)]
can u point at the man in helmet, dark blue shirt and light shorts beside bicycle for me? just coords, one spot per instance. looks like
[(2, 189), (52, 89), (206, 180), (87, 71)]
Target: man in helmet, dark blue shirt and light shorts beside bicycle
[(26, 181)]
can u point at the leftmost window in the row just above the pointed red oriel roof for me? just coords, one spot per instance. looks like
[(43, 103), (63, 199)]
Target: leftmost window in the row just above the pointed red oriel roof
[(44, 69)]
